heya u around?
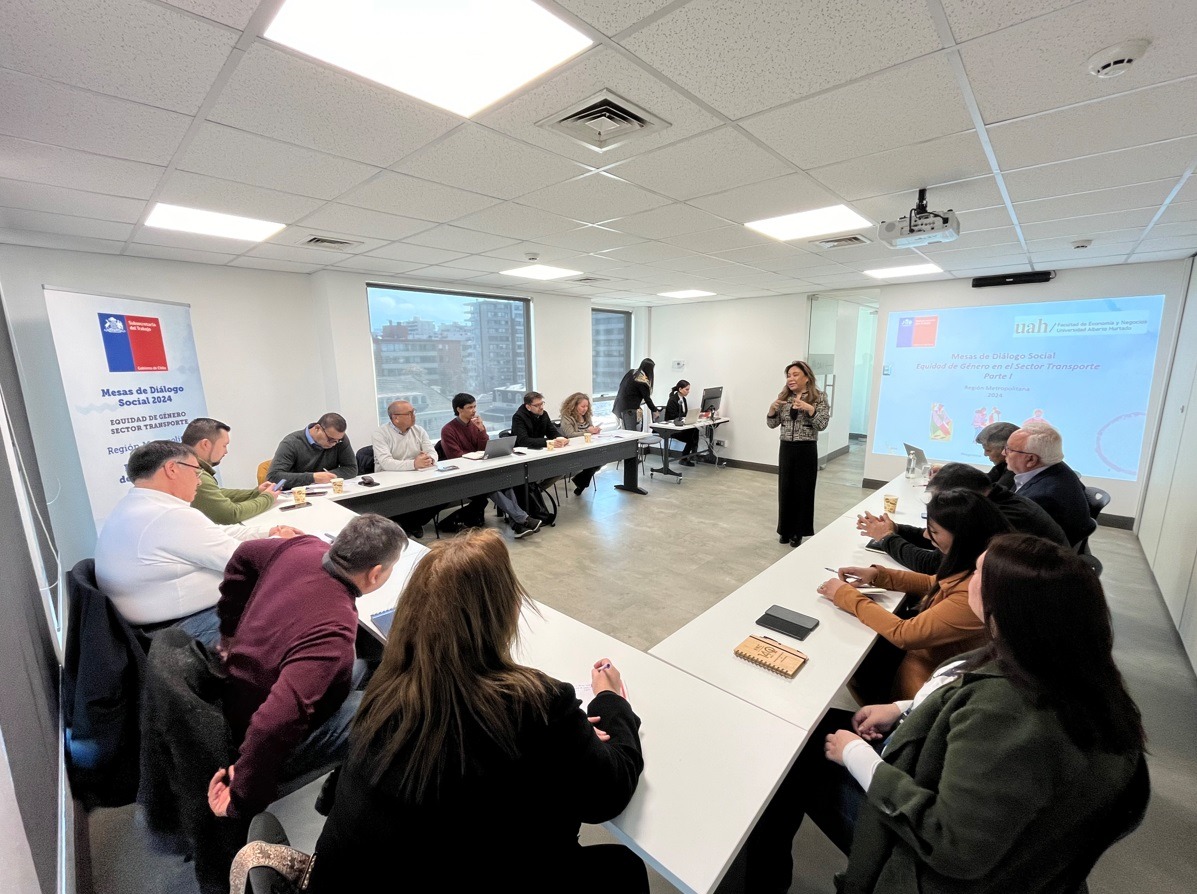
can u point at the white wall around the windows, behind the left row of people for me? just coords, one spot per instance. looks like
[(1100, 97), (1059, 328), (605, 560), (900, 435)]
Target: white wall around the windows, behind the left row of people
[(276, 351)]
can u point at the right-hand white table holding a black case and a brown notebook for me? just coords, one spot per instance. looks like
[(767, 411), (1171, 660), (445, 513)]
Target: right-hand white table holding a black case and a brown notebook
[(836, 648)]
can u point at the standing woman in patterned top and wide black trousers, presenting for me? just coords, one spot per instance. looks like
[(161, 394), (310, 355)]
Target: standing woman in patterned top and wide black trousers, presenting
[(801, 412)]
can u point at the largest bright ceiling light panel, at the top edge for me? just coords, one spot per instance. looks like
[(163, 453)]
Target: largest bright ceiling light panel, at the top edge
[(460, 56)]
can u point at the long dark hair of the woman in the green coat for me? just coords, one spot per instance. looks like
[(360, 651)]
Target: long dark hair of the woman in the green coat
[(1048, 615)]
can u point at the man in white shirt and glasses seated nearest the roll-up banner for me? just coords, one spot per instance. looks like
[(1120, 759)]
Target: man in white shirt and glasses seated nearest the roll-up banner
[(160, 561)]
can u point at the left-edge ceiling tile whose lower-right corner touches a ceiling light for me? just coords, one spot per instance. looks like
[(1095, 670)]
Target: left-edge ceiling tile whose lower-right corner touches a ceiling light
[(54, 166)]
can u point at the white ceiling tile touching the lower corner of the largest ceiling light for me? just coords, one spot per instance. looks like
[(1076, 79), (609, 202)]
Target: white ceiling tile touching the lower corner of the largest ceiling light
[(477, 159)]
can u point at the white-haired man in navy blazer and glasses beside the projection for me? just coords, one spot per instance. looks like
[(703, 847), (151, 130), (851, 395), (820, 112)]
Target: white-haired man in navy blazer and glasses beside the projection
[(1036, 457)]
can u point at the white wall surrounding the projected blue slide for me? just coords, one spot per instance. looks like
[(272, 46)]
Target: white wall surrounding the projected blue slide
[(1169, 279)]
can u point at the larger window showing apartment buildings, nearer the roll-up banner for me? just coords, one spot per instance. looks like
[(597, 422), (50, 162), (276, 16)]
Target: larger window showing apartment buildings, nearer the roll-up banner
[(428, 346)]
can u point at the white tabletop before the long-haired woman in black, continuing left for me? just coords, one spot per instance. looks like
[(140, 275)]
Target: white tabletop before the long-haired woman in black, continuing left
[(712, 762)]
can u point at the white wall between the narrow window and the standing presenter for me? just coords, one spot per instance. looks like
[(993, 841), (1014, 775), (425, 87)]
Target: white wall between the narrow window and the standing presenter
[(743, 345)]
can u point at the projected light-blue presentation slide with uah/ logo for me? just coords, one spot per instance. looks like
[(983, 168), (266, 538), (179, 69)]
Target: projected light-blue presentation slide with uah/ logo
[(1084, 367)]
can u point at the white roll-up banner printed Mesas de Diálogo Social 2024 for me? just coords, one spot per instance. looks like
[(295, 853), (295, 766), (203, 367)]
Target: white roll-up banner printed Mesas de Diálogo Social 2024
[(131, 375)]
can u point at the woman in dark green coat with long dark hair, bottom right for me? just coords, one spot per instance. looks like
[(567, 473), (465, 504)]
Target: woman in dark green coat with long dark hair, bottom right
[(1013, 768)]
